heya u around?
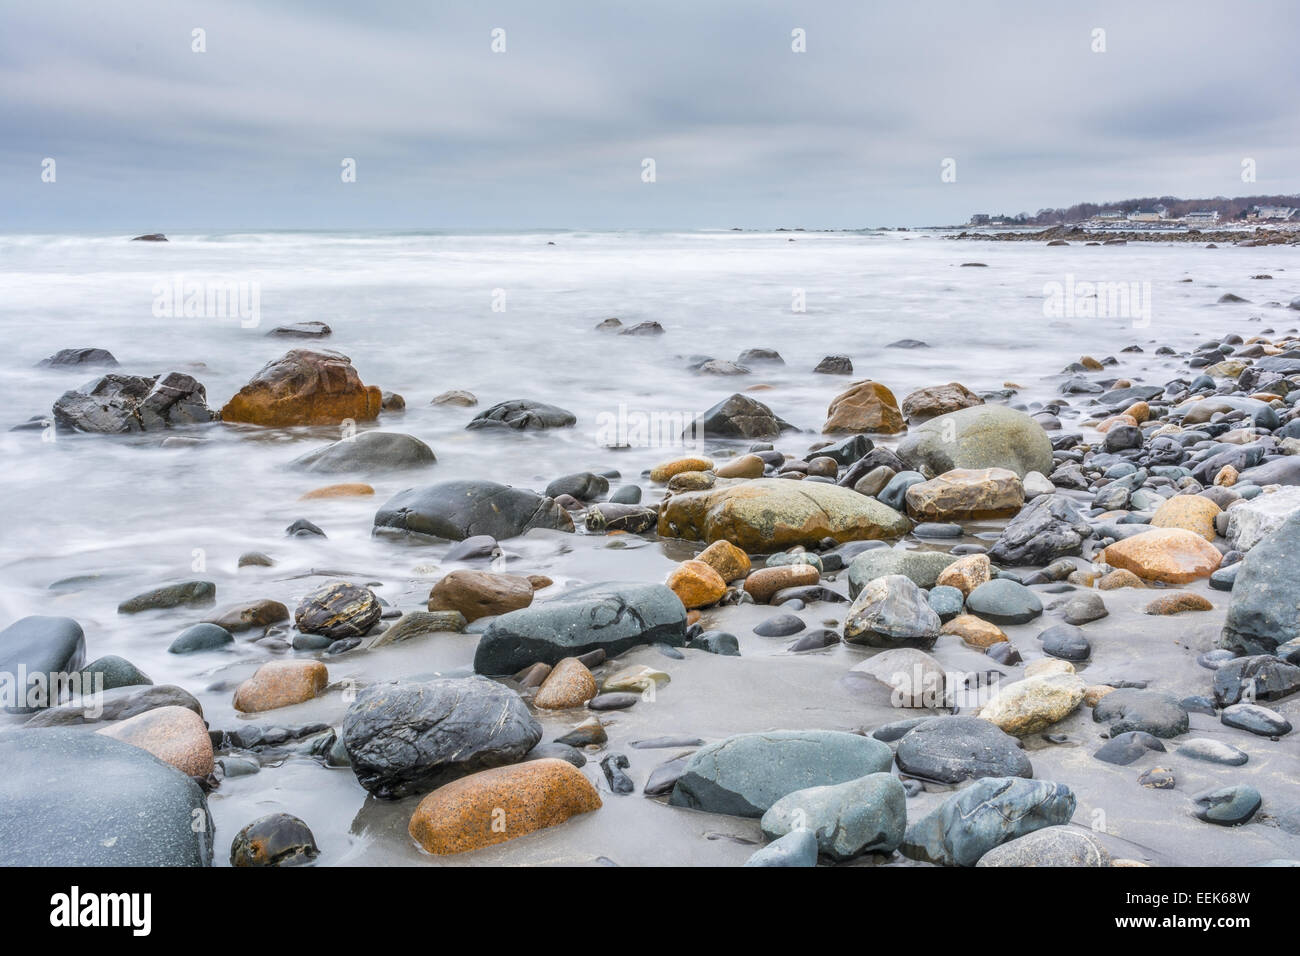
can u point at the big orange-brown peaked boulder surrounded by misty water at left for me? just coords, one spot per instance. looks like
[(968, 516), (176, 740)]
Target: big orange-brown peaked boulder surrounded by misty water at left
[(305, 388)]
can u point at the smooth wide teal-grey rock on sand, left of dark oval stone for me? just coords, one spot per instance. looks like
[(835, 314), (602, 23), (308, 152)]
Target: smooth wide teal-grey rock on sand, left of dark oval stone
[(746, 775)]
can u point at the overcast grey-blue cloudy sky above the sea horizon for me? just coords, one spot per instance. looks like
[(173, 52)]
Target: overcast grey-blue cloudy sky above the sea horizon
[(1024, 105)]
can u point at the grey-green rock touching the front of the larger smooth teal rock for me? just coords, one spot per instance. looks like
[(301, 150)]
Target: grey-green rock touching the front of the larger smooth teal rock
[(864, 816)]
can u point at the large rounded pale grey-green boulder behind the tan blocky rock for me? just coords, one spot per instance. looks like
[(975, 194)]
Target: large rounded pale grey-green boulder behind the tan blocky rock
[(986, 436)]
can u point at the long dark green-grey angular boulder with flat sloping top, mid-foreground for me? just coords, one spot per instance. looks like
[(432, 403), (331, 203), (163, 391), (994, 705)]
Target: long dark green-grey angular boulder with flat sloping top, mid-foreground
[(608, 617)]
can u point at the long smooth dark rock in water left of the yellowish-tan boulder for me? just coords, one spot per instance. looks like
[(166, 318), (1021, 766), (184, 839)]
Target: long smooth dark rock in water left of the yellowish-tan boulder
[(458, 511)]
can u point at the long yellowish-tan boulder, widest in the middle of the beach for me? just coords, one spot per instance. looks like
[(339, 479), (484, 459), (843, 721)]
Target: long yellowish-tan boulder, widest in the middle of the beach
[(773, 514)]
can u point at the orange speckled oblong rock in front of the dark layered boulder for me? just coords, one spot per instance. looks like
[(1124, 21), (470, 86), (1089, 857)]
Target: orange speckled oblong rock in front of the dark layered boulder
[(496, 806)]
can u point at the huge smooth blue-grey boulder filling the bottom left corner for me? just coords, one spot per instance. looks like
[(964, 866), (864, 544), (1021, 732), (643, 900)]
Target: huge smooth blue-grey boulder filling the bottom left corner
[(76, 799)]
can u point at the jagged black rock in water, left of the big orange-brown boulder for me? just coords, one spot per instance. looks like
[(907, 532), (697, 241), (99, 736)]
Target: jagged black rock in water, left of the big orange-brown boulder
[(123, 404)]
